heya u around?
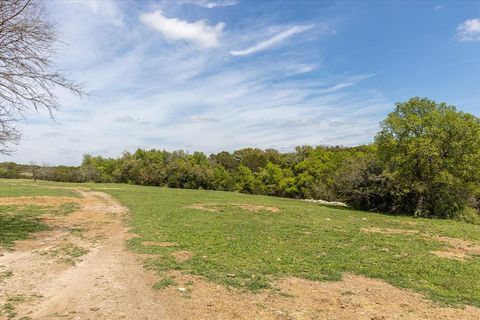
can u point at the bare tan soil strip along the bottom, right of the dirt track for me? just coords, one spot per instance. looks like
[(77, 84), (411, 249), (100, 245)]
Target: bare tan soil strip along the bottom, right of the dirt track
[(355, 297)]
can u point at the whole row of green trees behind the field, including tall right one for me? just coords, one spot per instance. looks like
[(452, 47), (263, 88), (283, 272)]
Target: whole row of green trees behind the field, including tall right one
[(425, 162)]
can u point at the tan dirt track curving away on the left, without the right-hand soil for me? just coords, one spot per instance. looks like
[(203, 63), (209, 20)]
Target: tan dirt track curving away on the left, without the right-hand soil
[(108, 283)]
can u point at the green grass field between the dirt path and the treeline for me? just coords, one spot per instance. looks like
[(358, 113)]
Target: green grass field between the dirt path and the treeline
[(250, 249)]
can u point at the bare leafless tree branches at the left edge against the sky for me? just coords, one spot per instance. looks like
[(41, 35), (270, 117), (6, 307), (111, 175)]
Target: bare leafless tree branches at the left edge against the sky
[(28, 78)]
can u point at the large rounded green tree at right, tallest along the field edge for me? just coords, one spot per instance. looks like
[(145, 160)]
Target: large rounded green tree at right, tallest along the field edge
[(432, 152)]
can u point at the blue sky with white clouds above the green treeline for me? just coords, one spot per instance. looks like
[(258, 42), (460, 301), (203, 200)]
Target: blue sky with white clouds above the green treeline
[(222, 75)]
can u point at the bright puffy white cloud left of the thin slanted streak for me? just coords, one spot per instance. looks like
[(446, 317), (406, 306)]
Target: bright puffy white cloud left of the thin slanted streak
[(198, 32)]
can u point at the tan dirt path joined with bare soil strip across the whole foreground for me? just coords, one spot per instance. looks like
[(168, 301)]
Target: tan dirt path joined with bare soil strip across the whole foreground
[(80, 269)]
